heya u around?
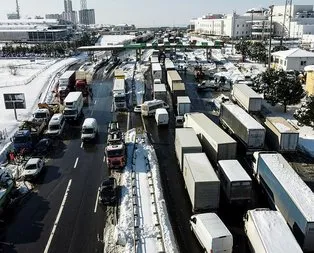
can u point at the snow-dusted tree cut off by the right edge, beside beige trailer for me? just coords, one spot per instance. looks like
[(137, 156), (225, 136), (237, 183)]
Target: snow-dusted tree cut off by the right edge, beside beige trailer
[(305, 114)]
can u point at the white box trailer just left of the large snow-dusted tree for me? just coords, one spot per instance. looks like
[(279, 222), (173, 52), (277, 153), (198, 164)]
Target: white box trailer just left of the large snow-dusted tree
[(247, 97)]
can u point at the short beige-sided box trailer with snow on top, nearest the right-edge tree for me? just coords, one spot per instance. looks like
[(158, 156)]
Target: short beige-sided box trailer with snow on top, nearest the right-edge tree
[(280, 134)]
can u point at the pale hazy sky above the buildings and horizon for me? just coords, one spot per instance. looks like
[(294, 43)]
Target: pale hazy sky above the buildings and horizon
[(141, 13)]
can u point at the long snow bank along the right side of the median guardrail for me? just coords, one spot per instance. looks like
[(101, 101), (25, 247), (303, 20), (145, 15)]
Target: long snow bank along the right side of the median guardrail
[(167, 233)]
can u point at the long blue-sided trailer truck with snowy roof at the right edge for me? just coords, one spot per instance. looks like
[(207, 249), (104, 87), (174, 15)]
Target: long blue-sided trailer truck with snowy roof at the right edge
[(289, 194)]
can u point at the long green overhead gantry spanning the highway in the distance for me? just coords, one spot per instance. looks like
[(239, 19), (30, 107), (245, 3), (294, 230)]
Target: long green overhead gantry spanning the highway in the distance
[(140, 47)]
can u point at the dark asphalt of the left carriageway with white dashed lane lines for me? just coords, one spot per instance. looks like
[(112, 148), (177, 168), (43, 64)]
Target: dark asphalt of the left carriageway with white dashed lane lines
[(77, 170)]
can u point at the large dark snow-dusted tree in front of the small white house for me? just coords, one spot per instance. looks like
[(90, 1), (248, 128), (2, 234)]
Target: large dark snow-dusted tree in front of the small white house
[(278, 87)]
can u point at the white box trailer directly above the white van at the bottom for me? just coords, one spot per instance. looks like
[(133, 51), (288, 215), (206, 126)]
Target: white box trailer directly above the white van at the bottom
[(201, 182)]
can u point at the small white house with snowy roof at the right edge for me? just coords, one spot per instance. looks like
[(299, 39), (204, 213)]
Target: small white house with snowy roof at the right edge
[(293, 59)]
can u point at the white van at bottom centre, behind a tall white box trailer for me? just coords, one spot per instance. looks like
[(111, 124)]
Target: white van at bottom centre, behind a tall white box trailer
[(212, 233)]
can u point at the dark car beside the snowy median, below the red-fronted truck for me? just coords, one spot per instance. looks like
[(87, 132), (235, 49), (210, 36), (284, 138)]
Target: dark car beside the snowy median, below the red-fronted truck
[(108, 191)]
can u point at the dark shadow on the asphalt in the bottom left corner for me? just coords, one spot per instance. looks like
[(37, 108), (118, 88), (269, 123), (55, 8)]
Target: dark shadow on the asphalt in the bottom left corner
[(23, 224)]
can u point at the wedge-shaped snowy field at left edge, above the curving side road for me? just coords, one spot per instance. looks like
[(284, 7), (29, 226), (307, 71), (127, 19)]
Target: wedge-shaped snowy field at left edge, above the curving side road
[(19, 72)]
